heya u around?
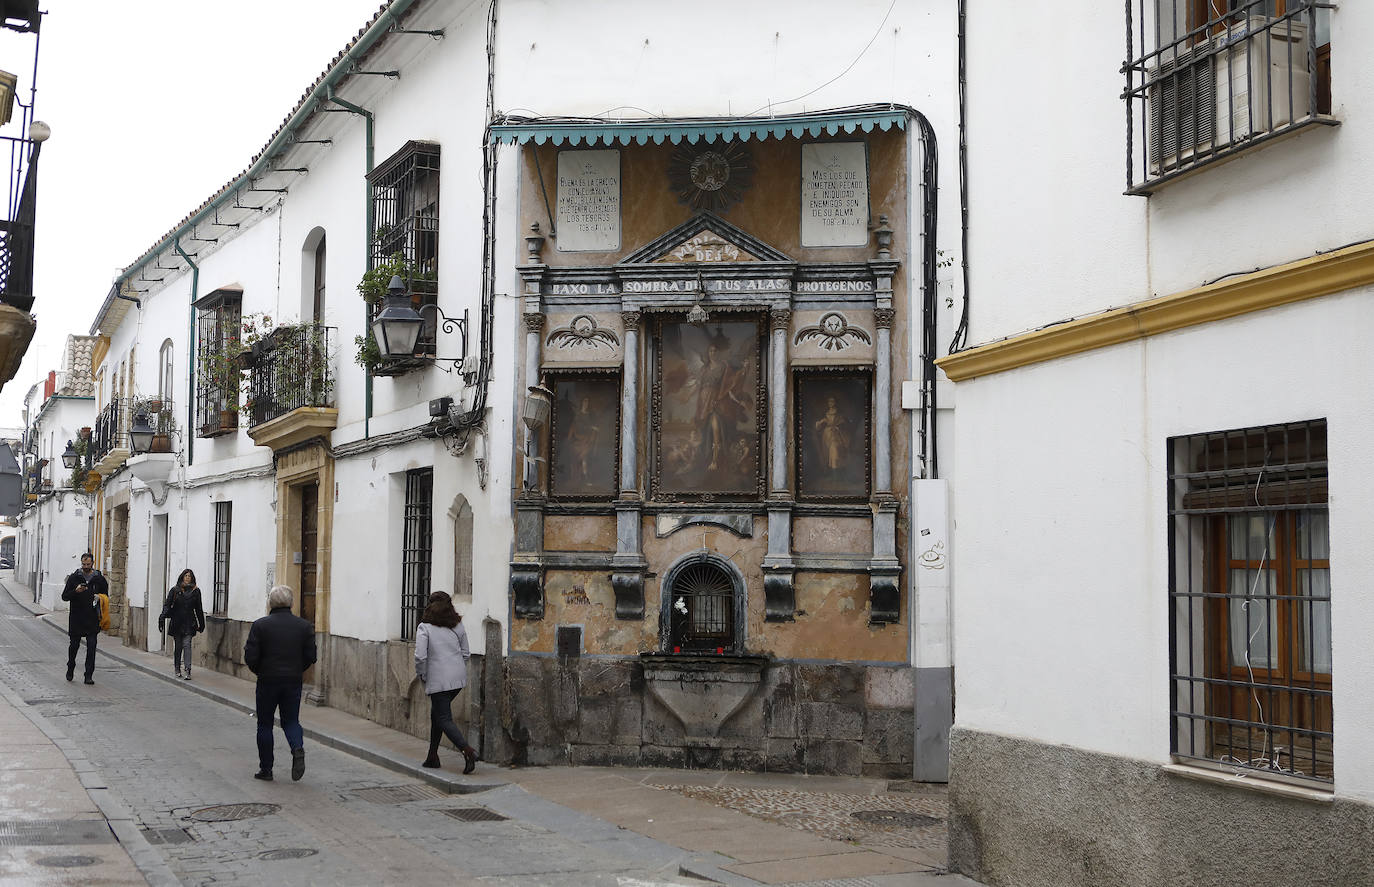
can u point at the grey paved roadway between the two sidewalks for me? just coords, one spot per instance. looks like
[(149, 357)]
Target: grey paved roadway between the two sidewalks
[(183, 765)]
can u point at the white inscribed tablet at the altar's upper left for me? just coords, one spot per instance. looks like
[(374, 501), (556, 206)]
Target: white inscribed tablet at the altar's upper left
[(589, 201)]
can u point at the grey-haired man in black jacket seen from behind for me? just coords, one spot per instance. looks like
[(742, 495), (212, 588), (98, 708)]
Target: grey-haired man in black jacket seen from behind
[(281, 647)]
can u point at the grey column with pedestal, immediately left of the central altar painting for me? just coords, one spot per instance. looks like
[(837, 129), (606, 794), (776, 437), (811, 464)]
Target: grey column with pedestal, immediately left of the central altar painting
[(627, 579)]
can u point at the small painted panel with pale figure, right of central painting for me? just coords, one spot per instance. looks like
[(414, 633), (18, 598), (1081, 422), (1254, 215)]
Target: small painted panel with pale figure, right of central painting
[(833, 435)]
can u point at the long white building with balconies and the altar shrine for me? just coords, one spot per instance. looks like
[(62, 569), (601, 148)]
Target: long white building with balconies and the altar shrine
[(416, 154)]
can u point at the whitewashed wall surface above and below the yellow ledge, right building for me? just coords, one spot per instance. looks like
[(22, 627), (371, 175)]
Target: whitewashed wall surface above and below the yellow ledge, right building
[(1061, 522)]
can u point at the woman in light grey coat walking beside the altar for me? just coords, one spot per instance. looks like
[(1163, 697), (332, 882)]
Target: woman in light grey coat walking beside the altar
[(442, 665)]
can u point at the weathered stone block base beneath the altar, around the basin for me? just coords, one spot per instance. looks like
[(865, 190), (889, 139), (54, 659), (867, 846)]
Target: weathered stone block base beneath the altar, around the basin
[(802, 719)]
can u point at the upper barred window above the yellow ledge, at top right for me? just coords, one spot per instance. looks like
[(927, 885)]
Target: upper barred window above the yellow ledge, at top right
[(1208, 79)]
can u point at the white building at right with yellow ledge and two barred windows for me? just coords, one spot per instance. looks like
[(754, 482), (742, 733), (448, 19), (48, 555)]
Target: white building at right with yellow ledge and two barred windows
[(1163, 451)]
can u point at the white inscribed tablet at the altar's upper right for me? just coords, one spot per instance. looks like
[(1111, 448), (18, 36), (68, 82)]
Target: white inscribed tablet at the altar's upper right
[(835, 194)]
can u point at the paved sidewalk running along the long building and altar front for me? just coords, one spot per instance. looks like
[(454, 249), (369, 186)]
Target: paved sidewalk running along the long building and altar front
[(678, 808)]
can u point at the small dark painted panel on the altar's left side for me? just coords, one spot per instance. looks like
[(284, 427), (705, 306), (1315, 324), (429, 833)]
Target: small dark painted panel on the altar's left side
[(586, 437)]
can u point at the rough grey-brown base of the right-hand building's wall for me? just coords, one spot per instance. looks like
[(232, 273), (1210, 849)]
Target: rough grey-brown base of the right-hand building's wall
[(1052, 816)]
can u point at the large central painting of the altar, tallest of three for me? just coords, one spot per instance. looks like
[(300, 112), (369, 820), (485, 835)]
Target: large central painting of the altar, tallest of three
[(708, 418)]
